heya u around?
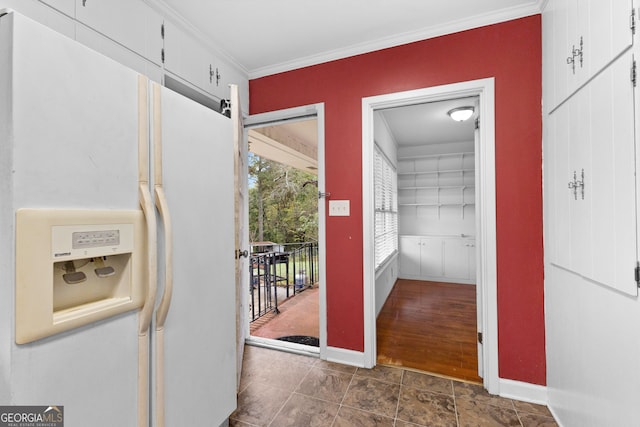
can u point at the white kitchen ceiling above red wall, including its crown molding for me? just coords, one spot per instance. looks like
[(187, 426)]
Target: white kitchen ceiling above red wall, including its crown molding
[(268, 36)]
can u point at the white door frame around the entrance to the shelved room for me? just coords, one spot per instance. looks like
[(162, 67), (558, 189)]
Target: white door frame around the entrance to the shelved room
[(486, 267)]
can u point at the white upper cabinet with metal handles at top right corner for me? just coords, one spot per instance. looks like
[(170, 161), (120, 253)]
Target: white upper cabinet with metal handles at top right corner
[(581, 38)]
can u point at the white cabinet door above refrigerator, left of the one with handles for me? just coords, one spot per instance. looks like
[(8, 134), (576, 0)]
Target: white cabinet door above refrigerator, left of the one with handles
[(130, 23)]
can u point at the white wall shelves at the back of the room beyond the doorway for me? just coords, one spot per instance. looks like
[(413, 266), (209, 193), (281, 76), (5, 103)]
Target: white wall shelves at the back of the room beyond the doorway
[(437, 180)]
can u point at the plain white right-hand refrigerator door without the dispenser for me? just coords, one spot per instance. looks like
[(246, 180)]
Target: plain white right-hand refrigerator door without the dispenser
[(199, 372)]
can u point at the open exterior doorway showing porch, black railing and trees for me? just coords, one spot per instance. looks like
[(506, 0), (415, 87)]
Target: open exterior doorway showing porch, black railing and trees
[(286, 261)]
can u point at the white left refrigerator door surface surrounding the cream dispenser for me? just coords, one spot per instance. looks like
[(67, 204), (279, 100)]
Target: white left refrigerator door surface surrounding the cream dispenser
[(68, 139)]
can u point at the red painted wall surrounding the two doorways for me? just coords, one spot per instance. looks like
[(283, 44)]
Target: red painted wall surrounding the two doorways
[(511, 53)]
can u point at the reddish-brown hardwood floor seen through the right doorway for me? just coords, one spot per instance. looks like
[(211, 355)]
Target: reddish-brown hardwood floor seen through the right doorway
[(430, 326)]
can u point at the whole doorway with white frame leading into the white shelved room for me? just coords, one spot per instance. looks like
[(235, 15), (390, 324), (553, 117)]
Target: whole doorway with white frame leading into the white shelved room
[(446, 225)]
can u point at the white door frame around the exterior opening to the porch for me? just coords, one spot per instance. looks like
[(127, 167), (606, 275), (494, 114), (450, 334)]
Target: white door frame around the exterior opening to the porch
[(305, 112)]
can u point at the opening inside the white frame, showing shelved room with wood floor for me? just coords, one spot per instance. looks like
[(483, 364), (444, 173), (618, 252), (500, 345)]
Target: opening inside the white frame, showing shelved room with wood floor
[(428, 320)]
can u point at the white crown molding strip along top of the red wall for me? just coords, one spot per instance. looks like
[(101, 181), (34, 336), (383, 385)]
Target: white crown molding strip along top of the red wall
[(400, 39)]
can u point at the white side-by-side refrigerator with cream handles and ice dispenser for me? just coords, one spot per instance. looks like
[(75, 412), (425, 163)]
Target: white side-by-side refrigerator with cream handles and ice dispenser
[(82, 133)]
